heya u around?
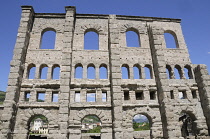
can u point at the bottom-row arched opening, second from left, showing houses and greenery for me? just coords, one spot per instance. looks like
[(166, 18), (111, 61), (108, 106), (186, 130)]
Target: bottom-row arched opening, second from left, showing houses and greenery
[(91, 124)]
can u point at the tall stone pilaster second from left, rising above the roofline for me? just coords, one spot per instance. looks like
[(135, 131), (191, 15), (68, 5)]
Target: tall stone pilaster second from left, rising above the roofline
[(64, 99)]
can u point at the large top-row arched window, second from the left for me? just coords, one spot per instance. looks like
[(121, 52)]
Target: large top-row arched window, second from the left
[(91, 41)]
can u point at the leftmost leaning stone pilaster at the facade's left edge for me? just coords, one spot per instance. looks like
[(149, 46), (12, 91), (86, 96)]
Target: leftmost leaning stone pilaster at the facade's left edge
[(16, 73)]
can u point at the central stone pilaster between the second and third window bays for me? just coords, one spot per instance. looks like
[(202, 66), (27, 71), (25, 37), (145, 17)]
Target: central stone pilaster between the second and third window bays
[(115, 77)]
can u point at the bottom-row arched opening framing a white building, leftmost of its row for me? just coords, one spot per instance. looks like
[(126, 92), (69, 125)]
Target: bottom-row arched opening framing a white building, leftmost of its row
[(38, 127)]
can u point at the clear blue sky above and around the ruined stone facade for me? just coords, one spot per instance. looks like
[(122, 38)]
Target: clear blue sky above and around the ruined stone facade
[(195, 15)]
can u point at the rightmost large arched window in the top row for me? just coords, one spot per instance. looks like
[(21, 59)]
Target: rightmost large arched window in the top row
[(171, 39)]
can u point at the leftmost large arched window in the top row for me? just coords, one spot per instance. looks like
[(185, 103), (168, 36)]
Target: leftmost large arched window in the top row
[(48, 39)]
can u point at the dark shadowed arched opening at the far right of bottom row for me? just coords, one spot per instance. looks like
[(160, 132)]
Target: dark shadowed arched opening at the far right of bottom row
[(188, 126)]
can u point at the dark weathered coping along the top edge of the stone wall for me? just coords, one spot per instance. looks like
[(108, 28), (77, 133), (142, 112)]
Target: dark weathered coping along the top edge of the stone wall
[(101, 16)]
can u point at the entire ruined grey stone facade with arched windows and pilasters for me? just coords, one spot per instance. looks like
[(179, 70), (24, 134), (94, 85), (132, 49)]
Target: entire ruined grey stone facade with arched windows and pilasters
[(160, 103)]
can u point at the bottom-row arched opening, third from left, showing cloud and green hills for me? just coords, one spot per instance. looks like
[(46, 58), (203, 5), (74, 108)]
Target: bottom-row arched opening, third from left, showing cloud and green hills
[(141, 122)]
